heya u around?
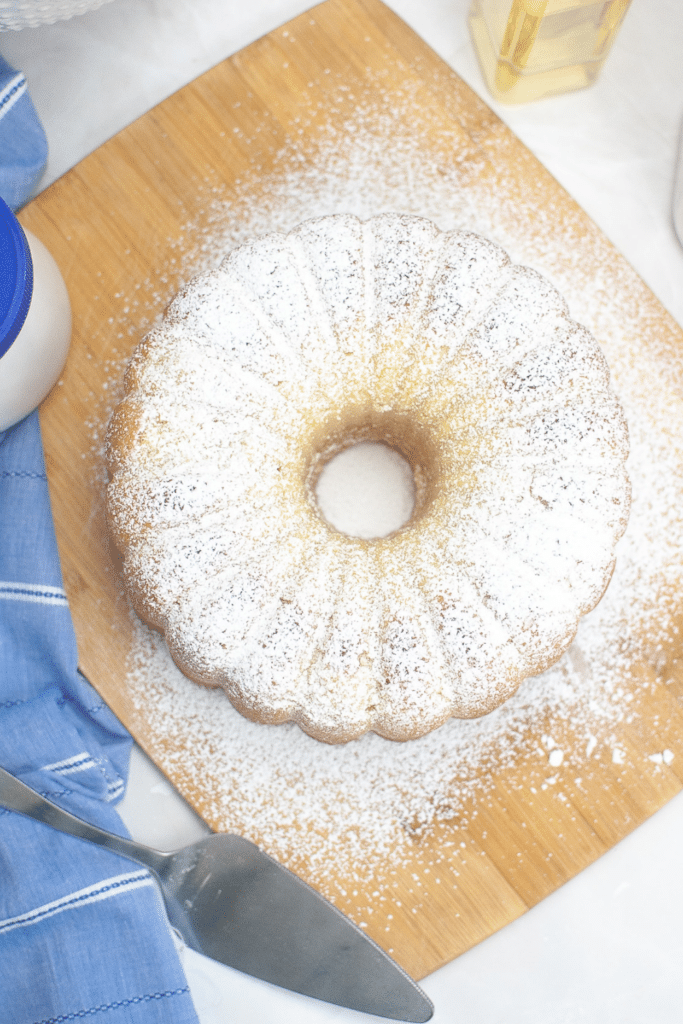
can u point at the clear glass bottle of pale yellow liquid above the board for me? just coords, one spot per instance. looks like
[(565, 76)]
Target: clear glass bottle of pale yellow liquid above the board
[(534, 49)]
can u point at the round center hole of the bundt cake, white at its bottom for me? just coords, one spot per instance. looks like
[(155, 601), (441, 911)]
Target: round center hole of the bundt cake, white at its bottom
[(367, 491)]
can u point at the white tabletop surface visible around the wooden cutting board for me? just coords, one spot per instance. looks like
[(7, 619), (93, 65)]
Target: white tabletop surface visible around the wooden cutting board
[(608, 948)]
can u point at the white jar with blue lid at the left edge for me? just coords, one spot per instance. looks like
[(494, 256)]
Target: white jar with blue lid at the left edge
[(35, 321)]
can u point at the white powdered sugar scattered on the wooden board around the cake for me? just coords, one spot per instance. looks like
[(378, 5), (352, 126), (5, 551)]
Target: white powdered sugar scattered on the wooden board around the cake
[(354, 810)]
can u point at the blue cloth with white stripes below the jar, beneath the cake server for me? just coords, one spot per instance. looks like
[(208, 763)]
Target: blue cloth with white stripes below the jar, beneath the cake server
[(83, 934)]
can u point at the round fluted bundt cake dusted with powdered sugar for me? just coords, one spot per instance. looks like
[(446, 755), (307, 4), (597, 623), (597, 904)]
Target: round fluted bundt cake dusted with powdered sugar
[(301, 346)]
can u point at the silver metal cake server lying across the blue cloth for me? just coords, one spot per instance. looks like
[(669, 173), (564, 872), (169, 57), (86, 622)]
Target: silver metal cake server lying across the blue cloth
[(233, 903)]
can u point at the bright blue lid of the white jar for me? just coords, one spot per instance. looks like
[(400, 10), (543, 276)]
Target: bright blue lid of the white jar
[(16, 278)]
